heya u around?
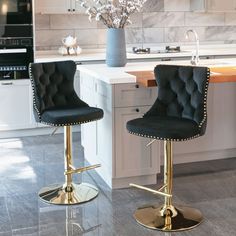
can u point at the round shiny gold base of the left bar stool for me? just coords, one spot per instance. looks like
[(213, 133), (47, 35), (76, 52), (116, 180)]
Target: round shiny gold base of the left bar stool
[(79, 193)]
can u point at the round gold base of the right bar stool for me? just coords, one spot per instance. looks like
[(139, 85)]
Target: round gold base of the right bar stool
[(186, 218)]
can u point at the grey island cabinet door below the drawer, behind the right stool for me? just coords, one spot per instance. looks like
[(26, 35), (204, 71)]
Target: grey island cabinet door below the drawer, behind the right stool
[(133, 157)]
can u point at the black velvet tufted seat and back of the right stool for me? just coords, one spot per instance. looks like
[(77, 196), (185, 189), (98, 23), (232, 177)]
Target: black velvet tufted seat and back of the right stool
[(179, 112)]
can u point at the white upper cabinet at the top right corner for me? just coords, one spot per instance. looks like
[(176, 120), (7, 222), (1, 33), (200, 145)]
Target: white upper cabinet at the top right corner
[(213, 5)]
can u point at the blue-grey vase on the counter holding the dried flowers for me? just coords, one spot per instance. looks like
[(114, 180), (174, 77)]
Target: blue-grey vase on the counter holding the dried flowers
[(116, 47)]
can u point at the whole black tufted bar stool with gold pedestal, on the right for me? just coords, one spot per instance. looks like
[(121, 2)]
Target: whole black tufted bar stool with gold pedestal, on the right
[(178, 114)]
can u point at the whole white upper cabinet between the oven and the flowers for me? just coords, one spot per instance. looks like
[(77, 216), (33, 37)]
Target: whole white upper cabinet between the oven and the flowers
[(57, 6)]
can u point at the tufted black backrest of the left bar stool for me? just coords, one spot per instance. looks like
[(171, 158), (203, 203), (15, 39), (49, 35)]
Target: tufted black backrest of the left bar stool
[(53, 86)]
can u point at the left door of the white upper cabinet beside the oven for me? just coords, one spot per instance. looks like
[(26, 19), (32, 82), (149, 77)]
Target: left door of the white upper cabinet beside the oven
[(52, 6)]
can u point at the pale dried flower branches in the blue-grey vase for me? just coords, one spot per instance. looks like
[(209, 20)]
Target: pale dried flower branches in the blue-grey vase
[(113, 13)]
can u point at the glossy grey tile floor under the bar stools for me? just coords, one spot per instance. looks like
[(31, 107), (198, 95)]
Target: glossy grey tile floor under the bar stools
[(27, 164)]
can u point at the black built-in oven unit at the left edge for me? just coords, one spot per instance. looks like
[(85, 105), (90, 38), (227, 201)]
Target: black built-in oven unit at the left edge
[(16, 38)]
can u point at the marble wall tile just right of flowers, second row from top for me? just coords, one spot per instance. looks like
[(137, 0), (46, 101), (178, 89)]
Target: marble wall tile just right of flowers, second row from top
[(163, 19)]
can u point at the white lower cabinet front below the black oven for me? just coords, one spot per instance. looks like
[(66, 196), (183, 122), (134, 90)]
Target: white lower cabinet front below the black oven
[(16, 105)]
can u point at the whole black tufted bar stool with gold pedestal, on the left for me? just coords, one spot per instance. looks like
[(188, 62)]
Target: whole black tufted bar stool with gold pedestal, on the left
[(56, 103)]
